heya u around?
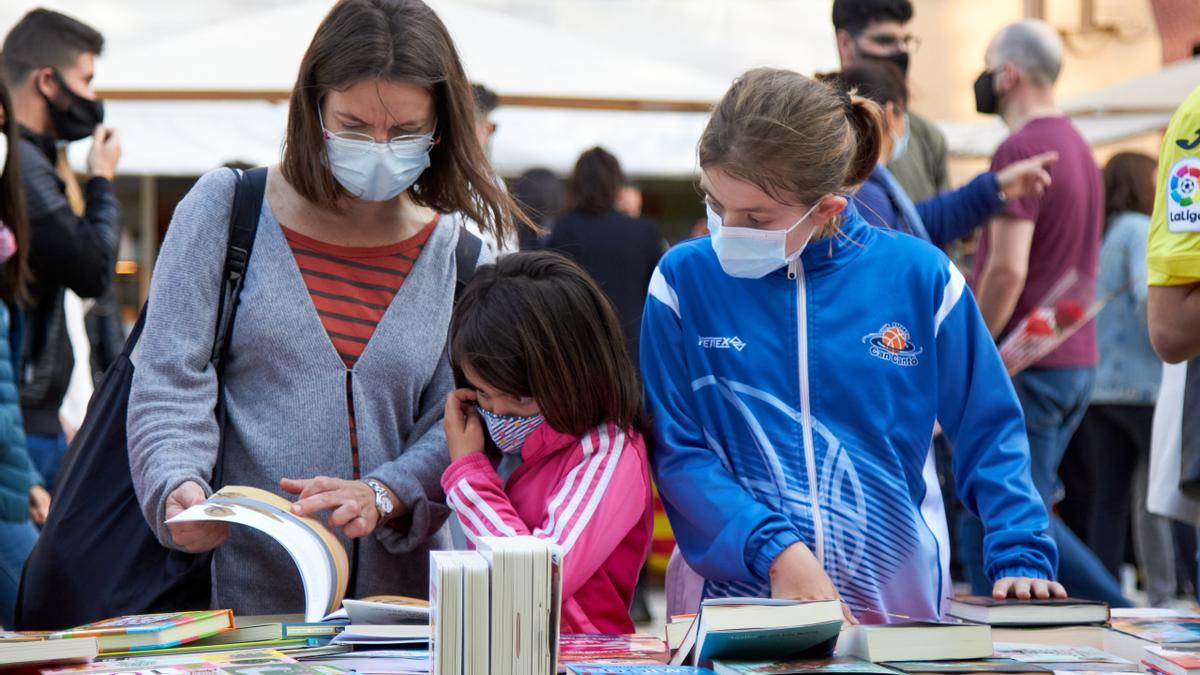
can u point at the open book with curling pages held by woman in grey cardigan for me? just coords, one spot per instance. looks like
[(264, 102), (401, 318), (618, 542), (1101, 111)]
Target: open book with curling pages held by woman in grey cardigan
[(321, 558)]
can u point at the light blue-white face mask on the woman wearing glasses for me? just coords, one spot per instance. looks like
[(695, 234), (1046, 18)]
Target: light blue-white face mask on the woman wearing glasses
[(377, 172)]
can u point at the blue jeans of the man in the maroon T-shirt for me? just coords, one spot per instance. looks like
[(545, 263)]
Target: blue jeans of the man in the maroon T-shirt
[(1054, 401)]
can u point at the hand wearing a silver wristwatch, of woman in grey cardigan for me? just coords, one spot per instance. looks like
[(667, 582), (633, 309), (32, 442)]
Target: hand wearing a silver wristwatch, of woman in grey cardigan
[(351, 501)]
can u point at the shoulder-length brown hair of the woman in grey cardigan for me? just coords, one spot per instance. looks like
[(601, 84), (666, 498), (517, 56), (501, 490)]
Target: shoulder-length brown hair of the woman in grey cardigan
[(400, 41)]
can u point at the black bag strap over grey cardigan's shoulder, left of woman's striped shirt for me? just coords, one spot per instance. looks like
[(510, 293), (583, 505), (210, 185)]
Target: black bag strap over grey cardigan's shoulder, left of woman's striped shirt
[(248, 207)]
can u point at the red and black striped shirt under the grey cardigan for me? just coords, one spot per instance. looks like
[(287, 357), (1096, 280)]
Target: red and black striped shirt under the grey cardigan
[(352, 289)]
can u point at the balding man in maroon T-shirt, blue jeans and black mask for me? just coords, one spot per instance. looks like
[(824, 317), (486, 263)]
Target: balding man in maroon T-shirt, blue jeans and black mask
[(1027, 250)]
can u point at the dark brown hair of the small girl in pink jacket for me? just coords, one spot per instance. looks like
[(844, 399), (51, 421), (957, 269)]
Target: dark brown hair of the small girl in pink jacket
[(536, 325)]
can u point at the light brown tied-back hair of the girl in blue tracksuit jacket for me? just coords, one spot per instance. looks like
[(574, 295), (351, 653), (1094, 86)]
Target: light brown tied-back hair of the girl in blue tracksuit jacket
[(791, 136)]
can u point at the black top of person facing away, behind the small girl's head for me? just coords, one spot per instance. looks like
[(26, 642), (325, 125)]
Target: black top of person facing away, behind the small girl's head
[(621, 254)]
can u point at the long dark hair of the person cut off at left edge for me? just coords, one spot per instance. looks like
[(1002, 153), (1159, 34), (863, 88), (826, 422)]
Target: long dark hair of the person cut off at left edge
[(15, 280)]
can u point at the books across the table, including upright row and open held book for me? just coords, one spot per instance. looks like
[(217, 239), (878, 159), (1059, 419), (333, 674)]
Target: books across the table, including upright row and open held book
[(496, 612)]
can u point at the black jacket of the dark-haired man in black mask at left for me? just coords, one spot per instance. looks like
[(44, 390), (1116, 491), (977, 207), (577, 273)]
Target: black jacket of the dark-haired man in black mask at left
[(67, 252)]
